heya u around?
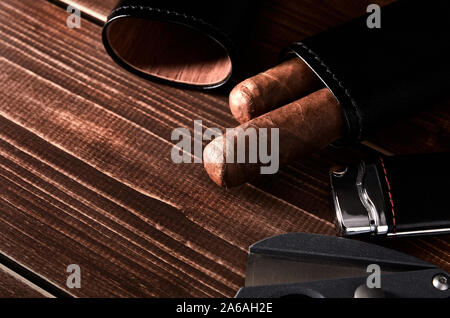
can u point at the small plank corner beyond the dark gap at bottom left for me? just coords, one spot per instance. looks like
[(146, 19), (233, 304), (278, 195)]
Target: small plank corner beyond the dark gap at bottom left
[(13, 285)]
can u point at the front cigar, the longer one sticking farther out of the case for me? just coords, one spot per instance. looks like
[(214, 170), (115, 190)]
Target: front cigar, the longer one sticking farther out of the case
[(305, 126)]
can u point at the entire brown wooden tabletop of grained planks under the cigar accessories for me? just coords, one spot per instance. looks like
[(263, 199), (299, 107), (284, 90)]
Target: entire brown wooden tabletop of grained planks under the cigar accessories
[(86, 176)]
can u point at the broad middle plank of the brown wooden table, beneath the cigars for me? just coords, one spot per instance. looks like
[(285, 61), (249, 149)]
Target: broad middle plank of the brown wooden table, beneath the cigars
[(86, 176)]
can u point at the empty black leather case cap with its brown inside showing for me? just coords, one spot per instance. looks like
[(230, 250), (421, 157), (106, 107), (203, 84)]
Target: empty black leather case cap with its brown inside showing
[(190, 43)]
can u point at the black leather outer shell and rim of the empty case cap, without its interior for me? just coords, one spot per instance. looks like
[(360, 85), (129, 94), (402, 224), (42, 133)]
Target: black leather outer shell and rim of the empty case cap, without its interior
[(221, 21)]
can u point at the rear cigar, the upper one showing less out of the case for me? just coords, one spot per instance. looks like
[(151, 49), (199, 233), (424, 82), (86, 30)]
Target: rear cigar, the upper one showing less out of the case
[(272, 89)]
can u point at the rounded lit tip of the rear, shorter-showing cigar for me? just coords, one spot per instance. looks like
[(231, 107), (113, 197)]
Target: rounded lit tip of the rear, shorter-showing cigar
[(241, 102)]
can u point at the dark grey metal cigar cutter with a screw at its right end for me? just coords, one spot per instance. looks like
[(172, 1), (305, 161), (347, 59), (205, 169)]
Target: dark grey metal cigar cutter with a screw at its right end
[(318, 266)]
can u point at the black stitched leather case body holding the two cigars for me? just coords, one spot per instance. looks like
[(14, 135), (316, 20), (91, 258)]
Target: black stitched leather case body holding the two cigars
[(378, 75)]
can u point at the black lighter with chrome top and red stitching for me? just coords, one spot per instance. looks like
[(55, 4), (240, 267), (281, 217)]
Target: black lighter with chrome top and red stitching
[(394, 196)]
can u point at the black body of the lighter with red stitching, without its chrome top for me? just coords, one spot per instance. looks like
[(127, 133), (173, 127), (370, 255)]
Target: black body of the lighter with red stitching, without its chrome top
[(416, 191)]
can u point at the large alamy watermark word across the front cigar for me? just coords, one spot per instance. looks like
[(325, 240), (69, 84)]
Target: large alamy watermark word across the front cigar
[(239, 146)]
